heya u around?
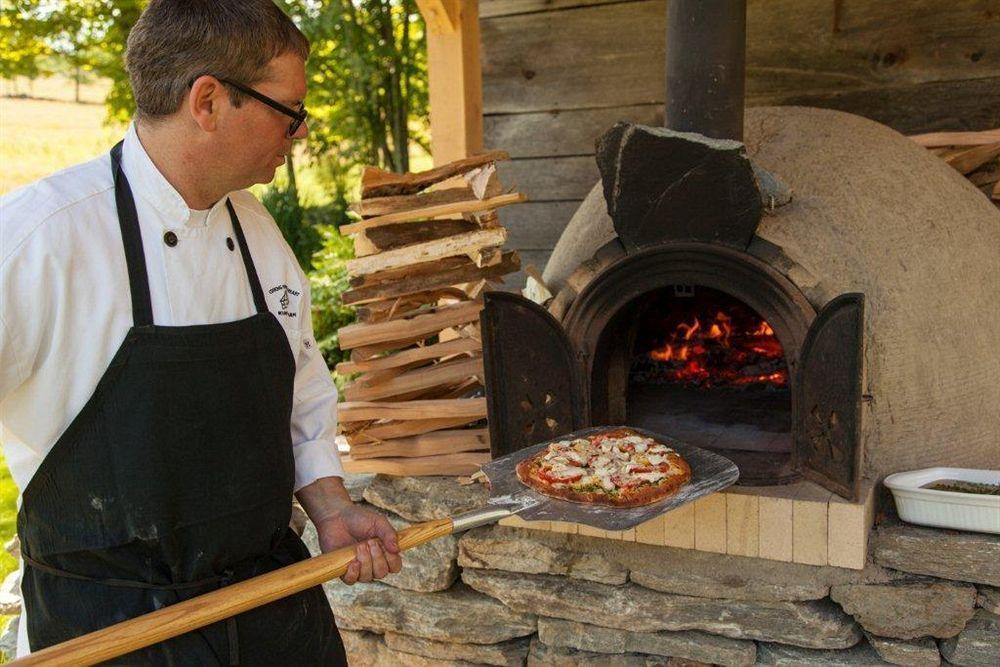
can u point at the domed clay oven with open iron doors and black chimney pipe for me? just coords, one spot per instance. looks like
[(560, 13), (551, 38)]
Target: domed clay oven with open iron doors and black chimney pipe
[(813, 299)]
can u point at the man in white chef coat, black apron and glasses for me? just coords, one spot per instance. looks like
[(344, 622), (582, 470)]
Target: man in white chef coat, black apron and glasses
[(161, 394)]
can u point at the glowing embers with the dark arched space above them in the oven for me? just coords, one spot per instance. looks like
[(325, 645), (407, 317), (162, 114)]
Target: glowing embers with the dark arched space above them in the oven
[(706, 339)]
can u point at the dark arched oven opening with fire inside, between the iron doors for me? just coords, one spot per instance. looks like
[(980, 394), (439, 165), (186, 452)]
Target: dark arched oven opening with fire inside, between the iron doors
[(707, 369)]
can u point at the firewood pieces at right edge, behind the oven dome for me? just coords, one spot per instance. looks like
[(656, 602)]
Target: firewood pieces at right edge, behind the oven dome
[(976, 155)]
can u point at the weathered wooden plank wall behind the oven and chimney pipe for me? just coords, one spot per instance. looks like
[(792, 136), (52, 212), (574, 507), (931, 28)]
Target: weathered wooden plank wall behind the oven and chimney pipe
[(557, 73)]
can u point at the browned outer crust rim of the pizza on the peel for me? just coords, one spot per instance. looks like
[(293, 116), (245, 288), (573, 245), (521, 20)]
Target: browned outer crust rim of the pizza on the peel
[(678, 475)]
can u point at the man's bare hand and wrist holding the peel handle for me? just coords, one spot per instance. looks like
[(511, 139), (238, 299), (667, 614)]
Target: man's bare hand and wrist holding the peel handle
[(339, 522)]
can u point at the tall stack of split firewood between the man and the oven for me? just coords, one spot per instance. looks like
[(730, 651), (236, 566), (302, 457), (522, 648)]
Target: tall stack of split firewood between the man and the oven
[(427, 245)]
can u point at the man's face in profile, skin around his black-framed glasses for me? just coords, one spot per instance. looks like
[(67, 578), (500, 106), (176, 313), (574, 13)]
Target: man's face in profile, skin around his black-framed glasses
[(259, 141)]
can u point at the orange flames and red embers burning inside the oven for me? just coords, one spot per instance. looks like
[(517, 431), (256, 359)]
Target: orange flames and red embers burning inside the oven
[(717, 353)]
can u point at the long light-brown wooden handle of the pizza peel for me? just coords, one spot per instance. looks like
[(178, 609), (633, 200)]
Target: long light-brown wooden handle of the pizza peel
[(213, 607)]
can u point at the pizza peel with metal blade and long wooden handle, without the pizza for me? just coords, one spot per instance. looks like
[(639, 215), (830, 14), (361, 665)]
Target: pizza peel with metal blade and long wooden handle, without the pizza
[(710, 472)]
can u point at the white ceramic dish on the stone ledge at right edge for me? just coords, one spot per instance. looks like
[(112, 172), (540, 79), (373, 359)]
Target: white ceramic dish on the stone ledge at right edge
[(946, 509)]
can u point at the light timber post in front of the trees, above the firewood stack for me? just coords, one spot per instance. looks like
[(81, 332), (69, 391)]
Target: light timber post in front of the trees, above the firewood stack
[(455, 78)]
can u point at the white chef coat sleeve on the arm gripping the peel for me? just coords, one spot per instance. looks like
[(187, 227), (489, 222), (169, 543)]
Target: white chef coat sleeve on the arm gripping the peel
[(314, 409)]
